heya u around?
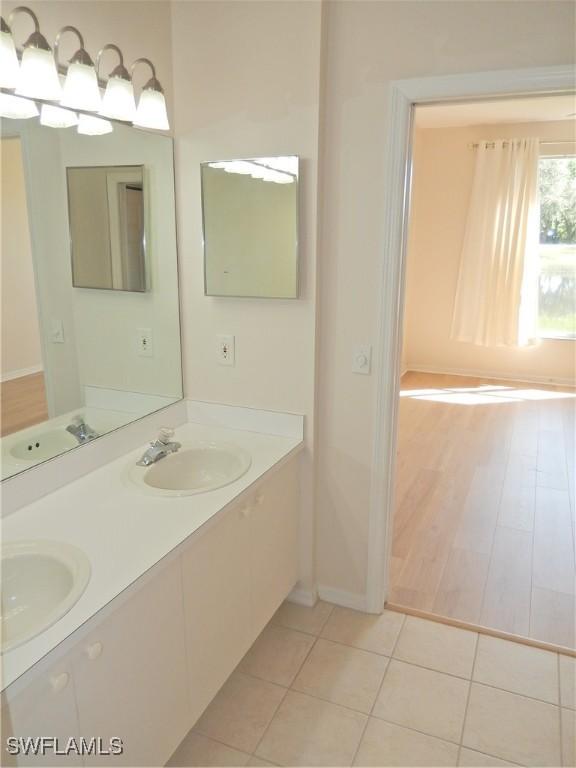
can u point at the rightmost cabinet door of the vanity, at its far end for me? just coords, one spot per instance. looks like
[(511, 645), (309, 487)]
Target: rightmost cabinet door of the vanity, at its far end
[(274, 527)]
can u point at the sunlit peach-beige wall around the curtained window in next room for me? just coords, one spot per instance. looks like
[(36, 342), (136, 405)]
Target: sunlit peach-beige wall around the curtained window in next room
[(441, 187)]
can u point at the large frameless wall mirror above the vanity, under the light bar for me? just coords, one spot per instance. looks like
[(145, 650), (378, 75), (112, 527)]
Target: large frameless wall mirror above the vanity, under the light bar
[(81, 214)]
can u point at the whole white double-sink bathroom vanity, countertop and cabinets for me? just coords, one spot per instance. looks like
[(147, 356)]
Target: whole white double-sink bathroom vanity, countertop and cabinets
[(180, 587)]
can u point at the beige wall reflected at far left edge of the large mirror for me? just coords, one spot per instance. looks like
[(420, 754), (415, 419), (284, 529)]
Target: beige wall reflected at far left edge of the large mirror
[(20, 337)]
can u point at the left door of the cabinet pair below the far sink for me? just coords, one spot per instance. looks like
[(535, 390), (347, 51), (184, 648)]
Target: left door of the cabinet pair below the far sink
[(216, 583)]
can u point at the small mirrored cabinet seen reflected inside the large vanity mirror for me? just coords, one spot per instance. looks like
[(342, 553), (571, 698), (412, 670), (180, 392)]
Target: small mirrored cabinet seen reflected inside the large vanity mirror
[(107, 227)]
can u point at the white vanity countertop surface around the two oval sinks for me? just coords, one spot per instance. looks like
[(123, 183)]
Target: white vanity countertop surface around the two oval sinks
[(123, 530)]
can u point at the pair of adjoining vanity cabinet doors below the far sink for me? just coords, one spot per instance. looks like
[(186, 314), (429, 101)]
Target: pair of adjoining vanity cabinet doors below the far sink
[(235, 577)]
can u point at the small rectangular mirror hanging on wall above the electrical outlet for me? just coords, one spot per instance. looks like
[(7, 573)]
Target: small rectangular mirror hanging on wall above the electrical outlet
[(250, 219)]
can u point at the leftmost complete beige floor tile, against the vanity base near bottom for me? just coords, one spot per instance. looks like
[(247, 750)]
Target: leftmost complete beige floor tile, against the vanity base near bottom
[(240, 712)]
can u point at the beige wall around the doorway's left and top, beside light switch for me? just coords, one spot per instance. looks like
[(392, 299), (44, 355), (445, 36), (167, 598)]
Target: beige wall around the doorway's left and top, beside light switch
[(368, 44)]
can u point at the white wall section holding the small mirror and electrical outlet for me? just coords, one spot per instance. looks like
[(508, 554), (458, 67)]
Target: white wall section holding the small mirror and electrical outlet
[(246, 84)]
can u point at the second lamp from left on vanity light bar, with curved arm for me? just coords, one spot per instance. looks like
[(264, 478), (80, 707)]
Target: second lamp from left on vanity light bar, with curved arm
[(37, 76)]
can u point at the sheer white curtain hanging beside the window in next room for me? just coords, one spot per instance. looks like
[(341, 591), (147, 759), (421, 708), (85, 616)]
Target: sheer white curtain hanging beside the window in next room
[(497, 292)]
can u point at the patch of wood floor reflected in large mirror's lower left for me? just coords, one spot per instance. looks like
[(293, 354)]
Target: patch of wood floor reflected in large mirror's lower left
[(23, 403)]
